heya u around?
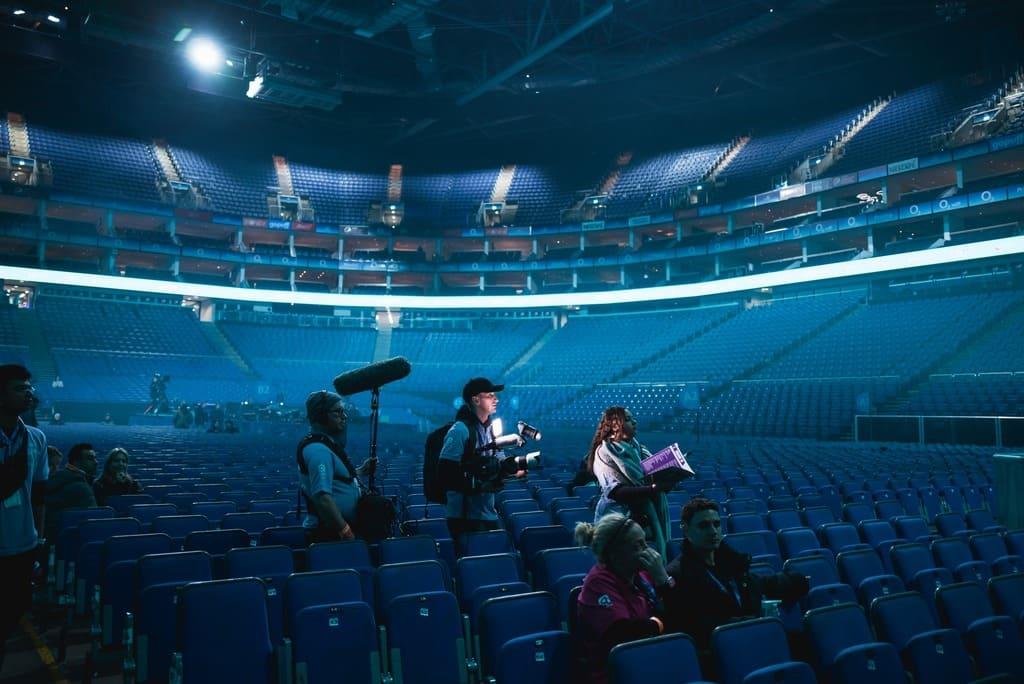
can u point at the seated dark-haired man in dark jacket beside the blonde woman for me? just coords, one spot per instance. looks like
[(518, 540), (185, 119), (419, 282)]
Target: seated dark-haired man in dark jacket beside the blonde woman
[(714, 585)]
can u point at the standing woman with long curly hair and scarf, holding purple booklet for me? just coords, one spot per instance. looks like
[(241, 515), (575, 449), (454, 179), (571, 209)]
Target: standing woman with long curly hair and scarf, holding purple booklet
[(615, 459)]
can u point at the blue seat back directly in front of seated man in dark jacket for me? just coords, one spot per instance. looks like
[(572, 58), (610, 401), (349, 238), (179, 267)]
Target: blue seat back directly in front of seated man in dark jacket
[(741, 649)]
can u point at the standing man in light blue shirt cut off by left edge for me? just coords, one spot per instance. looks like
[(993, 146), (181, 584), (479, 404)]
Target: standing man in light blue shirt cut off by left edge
[(24, 473)]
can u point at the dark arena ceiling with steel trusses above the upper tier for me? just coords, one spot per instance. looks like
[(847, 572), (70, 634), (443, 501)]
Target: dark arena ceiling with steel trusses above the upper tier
[(479, 79)]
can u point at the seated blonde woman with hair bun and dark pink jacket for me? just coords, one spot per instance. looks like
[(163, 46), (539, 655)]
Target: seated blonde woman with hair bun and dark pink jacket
[(620, 597)]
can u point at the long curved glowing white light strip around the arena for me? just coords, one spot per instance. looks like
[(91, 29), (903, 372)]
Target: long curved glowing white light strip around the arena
[(936, 258)]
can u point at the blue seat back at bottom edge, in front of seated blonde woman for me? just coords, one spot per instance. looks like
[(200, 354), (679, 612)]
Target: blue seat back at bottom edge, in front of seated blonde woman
[(648, 660)]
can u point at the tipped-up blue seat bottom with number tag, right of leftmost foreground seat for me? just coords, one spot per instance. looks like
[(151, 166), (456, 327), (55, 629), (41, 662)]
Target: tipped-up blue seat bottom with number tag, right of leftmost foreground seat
[(336, 642)]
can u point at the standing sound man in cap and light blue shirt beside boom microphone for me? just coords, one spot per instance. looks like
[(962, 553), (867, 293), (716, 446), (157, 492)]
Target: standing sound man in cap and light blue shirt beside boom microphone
[(327, 480)]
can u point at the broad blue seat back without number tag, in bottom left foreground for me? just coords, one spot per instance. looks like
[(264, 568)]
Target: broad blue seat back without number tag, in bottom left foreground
[(224, 631)]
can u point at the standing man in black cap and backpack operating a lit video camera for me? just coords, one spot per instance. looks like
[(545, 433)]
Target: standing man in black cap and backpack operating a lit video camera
[(471, 507)]
